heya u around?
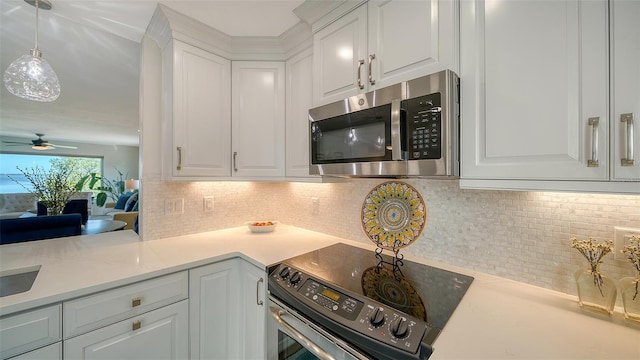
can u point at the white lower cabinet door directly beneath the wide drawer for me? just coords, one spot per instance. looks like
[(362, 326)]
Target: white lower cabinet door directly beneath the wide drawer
[(158, 334)]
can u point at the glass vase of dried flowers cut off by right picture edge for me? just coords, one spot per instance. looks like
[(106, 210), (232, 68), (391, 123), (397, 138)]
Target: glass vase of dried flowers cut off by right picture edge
[(629, 285)]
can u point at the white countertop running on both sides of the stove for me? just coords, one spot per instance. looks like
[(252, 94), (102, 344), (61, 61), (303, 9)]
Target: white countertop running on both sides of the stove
[(497, 318)]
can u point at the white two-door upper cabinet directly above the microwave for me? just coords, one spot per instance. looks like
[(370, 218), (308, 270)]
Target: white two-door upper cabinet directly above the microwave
[(381, 43)]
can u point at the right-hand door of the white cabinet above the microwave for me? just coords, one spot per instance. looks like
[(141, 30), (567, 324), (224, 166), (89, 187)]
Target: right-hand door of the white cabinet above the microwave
[(408, 39)]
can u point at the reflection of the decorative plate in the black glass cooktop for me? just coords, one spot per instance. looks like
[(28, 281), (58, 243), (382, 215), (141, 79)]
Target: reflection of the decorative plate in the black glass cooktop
[(393, 289)]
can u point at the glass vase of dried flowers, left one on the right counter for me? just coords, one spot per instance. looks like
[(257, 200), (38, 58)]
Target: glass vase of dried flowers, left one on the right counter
[(596, 292)]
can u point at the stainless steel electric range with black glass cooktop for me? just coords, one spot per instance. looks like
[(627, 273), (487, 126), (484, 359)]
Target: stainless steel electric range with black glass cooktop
[(344, 302)]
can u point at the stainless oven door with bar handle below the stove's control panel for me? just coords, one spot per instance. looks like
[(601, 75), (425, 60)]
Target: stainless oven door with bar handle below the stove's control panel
[(290, 336)]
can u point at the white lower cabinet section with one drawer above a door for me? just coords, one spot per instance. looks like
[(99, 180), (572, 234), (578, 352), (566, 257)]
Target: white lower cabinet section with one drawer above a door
[(144, 320)]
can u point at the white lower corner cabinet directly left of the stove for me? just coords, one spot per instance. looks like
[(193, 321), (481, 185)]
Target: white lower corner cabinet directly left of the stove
[(227, 311)]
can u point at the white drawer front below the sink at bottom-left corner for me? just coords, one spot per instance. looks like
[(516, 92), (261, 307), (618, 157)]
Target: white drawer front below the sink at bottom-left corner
[(30, 330)]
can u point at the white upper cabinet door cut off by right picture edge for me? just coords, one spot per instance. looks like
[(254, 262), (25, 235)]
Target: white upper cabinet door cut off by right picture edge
[(625, 88)]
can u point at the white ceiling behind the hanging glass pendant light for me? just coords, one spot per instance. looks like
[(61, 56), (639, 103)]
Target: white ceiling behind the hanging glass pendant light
[(93, 46)]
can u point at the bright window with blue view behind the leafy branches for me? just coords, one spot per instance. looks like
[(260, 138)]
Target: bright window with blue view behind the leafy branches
[(13, 181)]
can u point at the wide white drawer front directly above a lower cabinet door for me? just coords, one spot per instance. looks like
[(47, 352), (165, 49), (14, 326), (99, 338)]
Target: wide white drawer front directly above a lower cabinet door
[(107, 307)]
